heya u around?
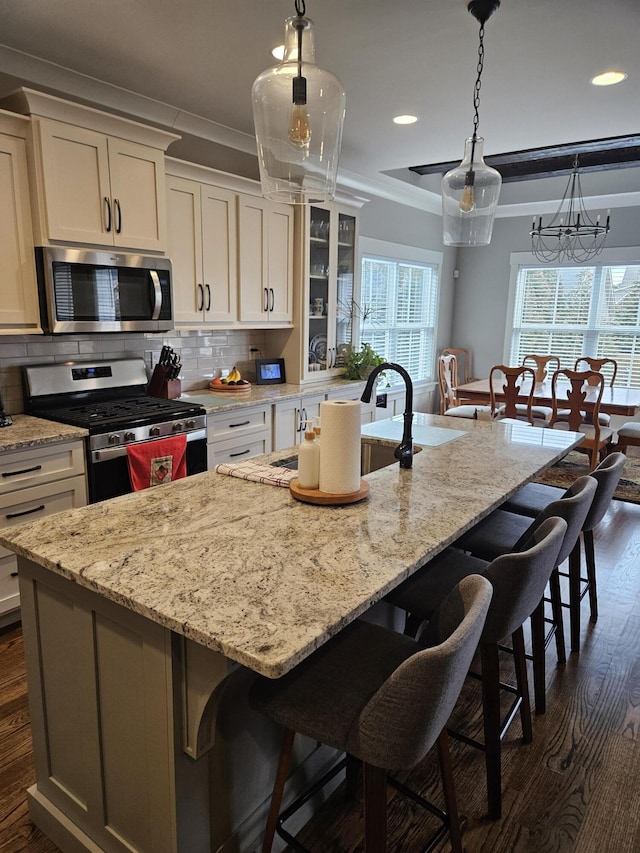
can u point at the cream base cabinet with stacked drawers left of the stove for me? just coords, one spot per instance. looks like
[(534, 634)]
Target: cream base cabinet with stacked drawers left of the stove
[(35, 483)]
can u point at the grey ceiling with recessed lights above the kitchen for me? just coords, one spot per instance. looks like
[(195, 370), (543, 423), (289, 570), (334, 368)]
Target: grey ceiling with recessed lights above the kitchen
[(194, 62)]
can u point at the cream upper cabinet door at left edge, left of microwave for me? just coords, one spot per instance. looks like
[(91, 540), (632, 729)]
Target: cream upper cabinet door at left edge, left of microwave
[(19, 303)]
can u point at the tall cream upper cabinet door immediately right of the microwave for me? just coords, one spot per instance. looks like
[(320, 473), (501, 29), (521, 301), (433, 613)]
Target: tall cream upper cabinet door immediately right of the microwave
[(185, 249)]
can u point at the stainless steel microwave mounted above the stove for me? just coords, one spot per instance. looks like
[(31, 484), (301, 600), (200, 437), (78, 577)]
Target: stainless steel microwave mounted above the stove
[(90, 291)]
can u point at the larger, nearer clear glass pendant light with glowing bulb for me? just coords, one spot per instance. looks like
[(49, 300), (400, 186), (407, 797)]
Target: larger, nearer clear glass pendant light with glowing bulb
[(298, 111)]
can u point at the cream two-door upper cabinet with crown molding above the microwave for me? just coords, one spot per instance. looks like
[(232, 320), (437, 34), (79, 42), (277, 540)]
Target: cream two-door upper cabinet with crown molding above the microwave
[(99, 179)]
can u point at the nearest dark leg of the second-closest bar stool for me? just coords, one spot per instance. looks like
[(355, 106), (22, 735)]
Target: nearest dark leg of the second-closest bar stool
[(491, 719)]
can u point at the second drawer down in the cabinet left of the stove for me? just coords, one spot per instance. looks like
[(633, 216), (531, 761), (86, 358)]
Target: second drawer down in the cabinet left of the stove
[(31, 504)]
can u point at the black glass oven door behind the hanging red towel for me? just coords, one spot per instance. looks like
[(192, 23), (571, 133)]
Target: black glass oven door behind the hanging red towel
[(108, 470)]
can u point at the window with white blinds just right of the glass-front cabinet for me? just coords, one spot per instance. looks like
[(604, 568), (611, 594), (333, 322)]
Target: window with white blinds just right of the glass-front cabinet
[(399, 304)]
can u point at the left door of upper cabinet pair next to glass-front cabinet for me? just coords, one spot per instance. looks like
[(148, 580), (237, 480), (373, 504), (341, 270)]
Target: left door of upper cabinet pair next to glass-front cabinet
[(252, 255)]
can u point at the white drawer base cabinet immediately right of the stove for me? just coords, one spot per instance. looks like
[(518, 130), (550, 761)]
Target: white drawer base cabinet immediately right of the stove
[(238, 434)]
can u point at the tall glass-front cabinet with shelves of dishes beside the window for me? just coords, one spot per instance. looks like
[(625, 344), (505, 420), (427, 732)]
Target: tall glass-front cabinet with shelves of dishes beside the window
[(331, 252)]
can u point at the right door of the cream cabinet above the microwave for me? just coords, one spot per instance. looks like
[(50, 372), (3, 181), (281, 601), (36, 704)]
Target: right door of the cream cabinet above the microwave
[(137, 195)]
